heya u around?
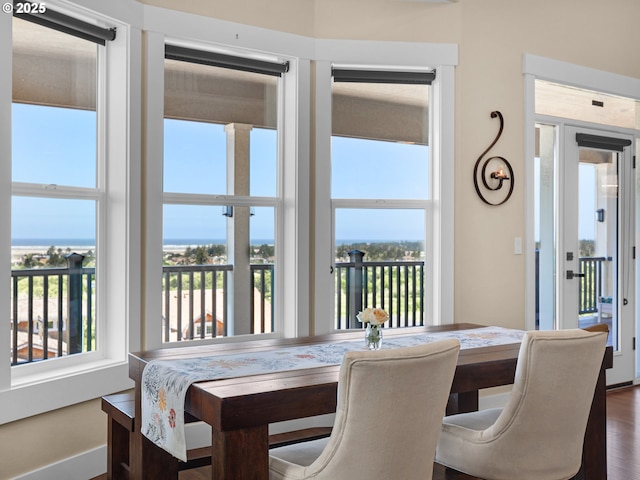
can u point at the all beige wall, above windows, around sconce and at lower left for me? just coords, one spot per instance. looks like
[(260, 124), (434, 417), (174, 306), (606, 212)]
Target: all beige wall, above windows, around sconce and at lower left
[(492, 35)]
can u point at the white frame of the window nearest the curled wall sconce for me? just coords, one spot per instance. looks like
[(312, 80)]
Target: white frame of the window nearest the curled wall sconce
[(440, 205)]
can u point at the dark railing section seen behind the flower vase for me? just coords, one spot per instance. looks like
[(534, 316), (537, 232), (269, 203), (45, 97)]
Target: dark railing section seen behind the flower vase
[(396, 286)]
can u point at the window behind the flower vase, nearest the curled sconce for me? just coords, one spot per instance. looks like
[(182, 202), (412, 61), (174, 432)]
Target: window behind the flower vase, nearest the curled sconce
[(380, 188)]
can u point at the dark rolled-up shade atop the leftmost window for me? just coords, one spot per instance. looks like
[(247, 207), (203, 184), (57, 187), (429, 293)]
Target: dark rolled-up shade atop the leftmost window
[(66, 24)]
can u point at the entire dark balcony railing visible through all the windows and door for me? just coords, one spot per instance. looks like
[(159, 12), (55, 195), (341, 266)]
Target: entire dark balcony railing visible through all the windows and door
[(53, 311)]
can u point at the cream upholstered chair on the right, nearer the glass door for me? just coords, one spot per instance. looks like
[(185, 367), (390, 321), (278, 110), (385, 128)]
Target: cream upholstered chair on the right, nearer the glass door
[(539, 433)]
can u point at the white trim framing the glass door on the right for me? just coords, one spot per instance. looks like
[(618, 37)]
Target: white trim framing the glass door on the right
[(542, 68)]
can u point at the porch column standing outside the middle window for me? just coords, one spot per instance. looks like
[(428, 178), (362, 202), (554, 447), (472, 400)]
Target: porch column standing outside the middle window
[(238, 229)]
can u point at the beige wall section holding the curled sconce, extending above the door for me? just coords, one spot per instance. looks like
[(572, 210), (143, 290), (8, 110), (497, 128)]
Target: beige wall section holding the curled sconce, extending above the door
[(489, 278)]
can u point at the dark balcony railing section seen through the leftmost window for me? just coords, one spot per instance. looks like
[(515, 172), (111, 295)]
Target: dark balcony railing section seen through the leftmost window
[(52, 311)]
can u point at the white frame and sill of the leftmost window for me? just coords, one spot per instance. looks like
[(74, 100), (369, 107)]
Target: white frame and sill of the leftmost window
[(36, 388)]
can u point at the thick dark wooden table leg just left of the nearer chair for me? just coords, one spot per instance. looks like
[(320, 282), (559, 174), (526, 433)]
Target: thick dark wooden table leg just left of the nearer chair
[(240, 454)]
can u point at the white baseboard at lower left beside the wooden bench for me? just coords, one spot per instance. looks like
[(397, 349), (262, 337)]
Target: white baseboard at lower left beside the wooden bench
[(85, 465)]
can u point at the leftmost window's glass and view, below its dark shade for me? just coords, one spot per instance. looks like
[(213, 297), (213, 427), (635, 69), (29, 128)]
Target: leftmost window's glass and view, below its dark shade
[(57, 193)]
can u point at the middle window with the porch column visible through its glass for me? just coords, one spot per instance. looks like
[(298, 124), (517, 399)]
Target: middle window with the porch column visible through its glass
[(221, 173)]
